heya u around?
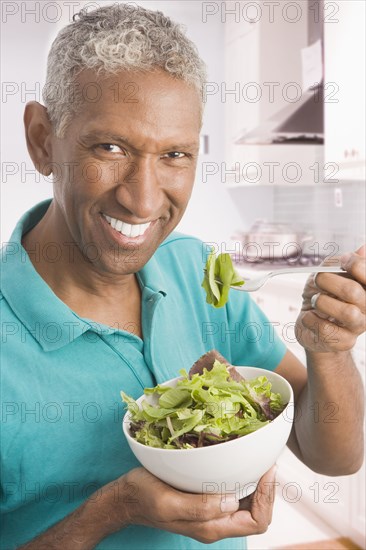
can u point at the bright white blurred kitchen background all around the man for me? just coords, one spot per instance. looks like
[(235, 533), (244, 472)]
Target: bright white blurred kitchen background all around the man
[(263, 60)]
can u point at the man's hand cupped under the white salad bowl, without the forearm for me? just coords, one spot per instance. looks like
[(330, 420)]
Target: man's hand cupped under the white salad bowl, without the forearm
[(145, 500)]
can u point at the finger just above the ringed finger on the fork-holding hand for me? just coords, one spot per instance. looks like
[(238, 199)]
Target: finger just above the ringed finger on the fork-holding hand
[(344, 289)]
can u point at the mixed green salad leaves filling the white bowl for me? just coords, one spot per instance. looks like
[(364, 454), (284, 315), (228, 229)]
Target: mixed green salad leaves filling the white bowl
[(207, 409)]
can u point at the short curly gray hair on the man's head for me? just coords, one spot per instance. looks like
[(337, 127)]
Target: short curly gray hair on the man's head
[(110, 39)]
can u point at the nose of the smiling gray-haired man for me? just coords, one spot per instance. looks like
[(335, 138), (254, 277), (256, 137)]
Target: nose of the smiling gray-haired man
[(139, 190)]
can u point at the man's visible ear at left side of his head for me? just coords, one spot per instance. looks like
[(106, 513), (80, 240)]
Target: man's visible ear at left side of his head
[(38, 132)]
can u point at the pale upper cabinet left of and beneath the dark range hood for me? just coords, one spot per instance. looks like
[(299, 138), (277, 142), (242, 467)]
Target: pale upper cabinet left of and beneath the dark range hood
[(262, 76)]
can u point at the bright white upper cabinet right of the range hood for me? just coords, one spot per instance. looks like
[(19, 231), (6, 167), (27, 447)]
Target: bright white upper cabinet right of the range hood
[(344, 63)]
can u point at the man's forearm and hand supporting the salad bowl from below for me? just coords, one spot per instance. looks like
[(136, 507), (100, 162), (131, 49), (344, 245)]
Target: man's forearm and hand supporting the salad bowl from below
[(139, 498)]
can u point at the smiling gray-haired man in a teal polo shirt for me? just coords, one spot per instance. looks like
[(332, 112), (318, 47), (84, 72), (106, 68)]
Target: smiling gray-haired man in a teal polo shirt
[(98, 296)]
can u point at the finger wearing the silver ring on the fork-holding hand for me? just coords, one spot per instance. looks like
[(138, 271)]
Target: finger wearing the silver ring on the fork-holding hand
[(347, 315)]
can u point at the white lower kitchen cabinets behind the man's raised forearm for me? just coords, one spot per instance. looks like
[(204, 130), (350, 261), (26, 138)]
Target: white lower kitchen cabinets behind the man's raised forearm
[(339, 501)]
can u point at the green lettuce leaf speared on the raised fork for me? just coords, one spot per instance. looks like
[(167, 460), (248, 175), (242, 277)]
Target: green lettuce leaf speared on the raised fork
[(219, 276)]
